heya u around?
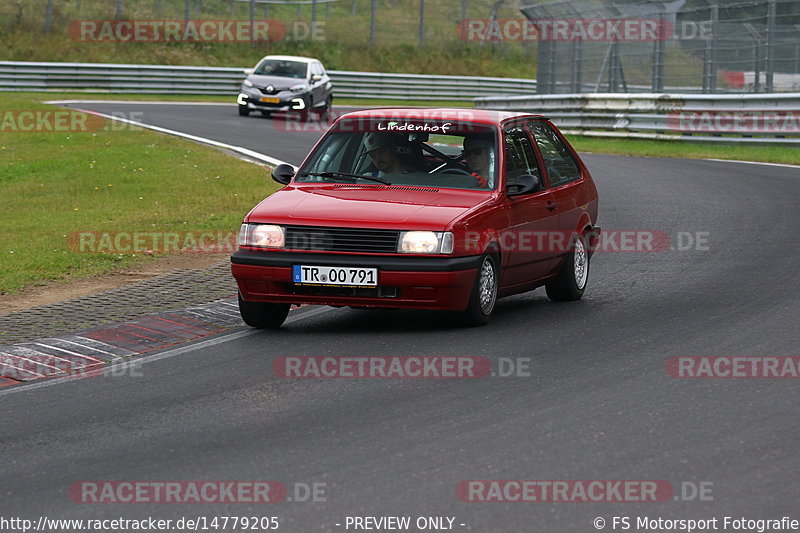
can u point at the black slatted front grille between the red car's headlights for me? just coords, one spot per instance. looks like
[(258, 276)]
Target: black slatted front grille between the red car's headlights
[(341, 239)]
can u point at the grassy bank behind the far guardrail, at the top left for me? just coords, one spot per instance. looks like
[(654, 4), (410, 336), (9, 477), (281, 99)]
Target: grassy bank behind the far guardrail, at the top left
[(344, 45)]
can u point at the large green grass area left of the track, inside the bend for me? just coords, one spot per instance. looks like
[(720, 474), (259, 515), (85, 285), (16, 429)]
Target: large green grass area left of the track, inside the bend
[(54, 184)]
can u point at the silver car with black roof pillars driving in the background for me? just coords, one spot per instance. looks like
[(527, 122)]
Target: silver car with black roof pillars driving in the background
[(286, 83)]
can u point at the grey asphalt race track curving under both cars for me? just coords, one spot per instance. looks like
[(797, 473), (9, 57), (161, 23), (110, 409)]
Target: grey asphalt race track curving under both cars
[(598, 403)]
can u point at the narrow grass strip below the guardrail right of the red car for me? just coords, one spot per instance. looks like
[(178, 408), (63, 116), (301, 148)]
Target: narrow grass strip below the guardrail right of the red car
[(687, 150)]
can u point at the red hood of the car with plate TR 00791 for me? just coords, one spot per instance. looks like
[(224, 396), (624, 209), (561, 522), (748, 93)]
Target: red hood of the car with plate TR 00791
[(367, 207)]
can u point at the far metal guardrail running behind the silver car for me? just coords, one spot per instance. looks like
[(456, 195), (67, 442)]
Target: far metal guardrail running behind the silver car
[(155, 79)]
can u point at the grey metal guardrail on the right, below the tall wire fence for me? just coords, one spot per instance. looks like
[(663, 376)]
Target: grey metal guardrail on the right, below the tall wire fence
[(773, 118)]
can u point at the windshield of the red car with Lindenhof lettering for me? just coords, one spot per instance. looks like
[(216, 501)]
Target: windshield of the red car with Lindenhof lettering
[(430, 153)]
